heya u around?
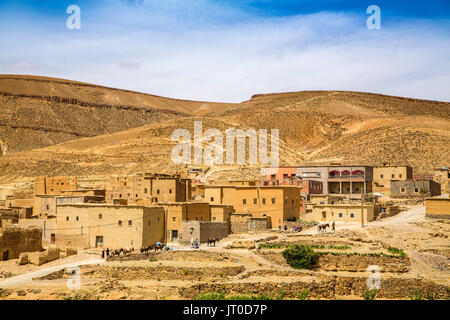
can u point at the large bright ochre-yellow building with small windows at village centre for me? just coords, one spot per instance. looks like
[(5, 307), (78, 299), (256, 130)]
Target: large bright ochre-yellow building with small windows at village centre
[(280, 203)]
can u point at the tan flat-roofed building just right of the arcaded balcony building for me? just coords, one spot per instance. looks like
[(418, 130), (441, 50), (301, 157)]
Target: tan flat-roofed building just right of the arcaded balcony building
[(382, 177)]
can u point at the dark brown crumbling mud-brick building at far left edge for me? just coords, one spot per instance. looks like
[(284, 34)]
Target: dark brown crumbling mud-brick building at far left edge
[(15, 240)]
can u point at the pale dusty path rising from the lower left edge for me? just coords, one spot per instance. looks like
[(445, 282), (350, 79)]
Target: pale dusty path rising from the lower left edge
[(23, 279)]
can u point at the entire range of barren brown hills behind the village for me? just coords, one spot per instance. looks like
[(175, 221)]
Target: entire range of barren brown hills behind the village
[(132, 132)]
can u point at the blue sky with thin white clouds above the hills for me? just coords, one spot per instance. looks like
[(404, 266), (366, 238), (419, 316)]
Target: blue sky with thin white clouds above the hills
[(231, 49)]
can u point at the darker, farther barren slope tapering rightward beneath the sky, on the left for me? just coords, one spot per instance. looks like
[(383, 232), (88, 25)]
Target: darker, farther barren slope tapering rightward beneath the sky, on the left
[(38, 112)]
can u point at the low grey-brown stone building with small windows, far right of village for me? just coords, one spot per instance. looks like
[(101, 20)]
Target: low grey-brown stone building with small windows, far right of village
[(415, 188)]
